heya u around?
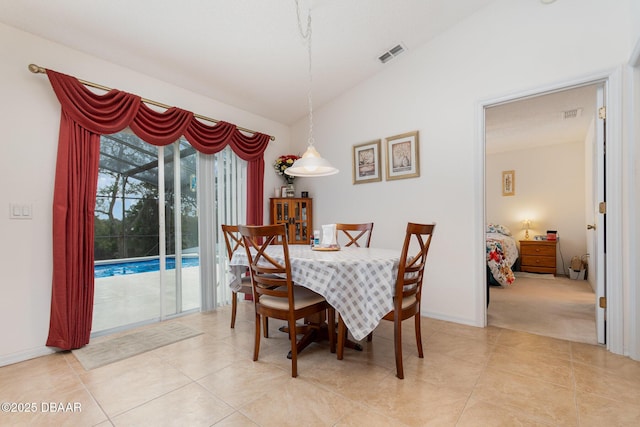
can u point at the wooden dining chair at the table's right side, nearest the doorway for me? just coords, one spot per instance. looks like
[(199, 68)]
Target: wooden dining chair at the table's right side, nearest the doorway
[(407, 291)]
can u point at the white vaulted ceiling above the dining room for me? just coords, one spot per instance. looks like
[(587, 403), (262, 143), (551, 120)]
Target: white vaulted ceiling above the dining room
[(250, 54)]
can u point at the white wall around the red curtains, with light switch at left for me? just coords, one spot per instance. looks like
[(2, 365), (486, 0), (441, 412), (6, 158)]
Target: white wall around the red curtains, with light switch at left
[(30, 116)]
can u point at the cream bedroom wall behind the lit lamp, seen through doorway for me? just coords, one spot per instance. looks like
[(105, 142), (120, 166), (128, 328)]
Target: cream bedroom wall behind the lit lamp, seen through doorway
[(549, 191)]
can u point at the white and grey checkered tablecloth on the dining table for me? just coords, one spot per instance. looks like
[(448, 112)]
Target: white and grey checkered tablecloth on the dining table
[(357, 282)]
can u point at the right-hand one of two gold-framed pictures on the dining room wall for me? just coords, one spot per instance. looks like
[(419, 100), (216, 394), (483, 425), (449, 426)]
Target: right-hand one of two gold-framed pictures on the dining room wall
[(402, 156)]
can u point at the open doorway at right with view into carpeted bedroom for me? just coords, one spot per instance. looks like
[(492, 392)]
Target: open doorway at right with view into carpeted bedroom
[(545, 142)]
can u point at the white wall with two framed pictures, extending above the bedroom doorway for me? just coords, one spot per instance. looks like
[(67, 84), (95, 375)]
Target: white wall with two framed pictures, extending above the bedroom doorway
[(508, 47)]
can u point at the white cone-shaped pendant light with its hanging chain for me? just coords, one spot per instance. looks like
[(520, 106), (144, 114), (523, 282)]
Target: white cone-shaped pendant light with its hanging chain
[(311, 163)]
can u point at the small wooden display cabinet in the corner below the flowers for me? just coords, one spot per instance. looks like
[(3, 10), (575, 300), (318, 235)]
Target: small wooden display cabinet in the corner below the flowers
[(297, 213)]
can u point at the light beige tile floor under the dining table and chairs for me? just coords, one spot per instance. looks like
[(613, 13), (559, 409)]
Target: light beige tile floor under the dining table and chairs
[(468, 377)]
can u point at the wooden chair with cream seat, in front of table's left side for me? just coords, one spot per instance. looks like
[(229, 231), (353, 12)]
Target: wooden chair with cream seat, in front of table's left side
[(275, 294)]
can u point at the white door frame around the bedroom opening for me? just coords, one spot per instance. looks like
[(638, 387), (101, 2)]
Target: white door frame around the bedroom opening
[(612, 80)]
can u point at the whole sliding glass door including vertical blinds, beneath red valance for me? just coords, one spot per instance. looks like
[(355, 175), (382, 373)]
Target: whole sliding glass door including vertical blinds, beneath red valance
[(158, 249)]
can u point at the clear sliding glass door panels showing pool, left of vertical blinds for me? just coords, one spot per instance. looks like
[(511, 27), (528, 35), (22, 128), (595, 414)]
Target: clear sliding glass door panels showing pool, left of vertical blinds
[(146, 233)]
